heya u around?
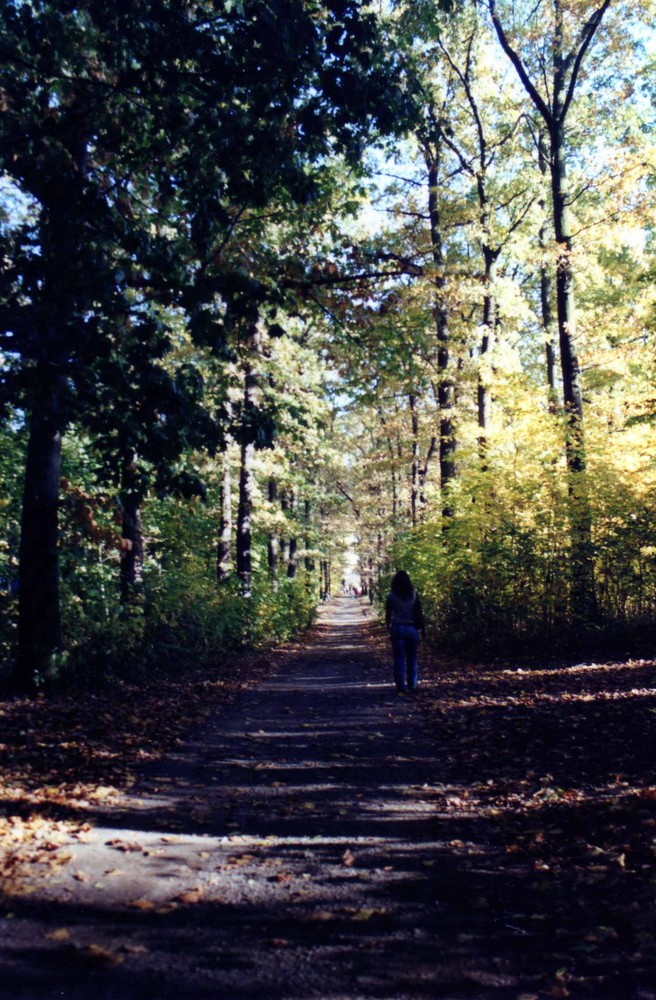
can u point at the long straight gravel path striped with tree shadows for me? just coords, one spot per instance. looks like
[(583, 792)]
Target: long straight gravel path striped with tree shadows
[(289, 850)]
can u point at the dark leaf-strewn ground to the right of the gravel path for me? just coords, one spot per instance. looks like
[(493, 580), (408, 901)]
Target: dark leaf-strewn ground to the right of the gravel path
[(553, 771)]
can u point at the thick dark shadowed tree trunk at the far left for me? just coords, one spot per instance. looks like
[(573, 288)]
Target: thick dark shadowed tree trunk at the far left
[(39, 619)]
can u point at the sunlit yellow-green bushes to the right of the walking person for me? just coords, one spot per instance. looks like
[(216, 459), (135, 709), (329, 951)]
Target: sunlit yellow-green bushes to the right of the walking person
[(495, 576)]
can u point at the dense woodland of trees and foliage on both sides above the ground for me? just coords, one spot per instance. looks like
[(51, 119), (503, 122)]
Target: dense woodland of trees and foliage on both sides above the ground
[(279, 278)]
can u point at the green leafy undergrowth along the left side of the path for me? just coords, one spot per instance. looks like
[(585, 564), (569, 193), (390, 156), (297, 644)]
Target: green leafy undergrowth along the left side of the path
[(180, 618)]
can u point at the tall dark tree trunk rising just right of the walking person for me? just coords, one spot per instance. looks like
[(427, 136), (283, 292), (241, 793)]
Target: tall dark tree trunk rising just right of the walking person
[(445, 390)]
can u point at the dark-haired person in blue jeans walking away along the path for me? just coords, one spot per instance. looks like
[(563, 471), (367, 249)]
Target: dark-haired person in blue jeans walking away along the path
[(404, 618)]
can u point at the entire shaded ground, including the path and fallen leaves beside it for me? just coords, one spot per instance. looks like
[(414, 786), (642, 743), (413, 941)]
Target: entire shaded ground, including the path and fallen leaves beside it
[(313, 835)]
